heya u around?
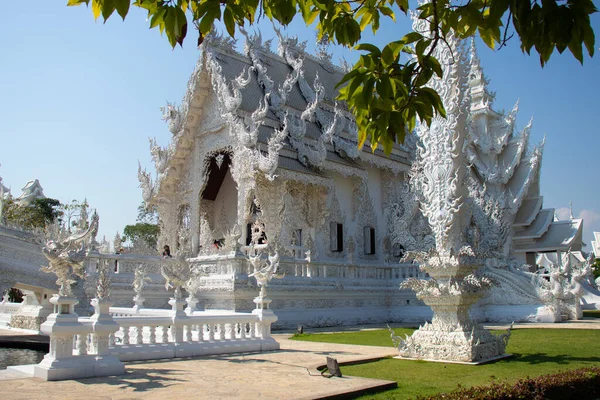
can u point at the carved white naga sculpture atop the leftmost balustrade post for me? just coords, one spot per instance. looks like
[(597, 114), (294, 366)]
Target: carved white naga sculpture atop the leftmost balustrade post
[(66, 259)]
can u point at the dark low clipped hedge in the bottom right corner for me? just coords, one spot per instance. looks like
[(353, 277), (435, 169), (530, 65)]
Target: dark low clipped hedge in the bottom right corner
[(581, 383)]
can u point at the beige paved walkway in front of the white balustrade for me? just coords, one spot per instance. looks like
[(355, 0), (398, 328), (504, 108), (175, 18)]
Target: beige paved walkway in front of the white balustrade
[(287, 374)]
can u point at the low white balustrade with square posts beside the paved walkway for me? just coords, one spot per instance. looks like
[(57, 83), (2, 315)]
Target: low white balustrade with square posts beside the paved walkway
[(96, 346)]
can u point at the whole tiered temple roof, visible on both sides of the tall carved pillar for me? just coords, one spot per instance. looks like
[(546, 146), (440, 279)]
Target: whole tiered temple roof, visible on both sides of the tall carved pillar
[(280, 110)]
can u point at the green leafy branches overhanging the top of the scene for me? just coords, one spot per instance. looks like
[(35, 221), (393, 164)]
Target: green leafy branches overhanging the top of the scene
[(386, 89)]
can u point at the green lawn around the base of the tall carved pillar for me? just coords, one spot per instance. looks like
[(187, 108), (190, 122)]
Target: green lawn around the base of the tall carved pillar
[(536, 352)]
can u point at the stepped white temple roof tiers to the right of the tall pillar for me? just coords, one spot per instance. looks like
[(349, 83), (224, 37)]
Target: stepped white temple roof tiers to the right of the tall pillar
[(508, 171)]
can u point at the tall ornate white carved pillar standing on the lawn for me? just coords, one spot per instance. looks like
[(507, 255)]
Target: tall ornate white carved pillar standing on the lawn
[(438, 177)]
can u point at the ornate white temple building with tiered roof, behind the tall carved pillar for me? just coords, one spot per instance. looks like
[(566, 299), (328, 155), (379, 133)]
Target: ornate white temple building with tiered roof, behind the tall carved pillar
[(263, 159)]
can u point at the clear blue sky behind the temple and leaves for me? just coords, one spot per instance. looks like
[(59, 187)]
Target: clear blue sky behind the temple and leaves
[(79, 100)]
